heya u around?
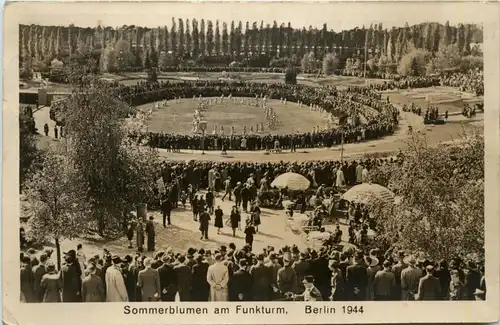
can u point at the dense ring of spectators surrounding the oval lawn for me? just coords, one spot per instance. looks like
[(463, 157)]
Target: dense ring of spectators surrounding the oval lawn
[(381, 117)]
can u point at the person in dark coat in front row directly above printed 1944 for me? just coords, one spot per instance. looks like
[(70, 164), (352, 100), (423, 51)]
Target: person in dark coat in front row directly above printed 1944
[(356, 279)]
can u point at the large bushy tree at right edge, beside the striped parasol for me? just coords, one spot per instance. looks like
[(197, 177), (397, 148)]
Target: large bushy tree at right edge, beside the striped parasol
[(442, 197)]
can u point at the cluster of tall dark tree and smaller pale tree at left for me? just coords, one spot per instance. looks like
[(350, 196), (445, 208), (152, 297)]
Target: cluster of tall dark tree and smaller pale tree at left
[(96, 174)]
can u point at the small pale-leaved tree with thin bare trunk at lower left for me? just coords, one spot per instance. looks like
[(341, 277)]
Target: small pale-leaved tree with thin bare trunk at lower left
[(52, 204)]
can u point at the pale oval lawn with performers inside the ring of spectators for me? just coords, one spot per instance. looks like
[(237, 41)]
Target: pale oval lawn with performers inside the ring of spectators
[(178, 117)]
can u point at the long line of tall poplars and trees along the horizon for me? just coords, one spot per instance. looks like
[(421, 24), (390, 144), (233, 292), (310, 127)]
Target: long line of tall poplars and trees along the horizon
[(193, 42)]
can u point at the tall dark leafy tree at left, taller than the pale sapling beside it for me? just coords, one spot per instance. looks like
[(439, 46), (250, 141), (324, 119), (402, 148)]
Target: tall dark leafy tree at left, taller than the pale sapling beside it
[(112, 170)]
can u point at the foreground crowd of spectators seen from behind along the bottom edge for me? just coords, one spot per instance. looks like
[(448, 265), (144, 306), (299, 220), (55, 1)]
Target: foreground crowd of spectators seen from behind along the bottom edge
[(241, 274)]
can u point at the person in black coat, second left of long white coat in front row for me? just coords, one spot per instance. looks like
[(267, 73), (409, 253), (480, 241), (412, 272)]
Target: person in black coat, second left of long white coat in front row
[(71, 278)]
